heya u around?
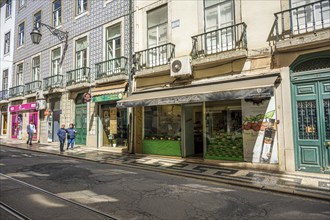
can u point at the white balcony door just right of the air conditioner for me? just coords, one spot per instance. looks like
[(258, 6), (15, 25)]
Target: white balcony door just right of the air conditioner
[(219, 15)]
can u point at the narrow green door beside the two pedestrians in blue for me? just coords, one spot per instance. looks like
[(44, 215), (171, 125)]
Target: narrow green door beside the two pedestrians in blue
[(81, 123)]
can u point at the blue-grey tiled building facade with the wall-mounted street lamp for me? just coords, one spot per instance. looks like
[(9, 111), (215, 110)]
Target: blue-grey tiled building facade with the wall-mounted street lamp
[(53, 81)]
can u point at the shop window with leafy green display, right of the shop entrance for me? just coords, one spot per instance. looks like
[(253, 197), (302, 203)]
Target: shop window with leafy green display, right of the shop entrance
[(224, 130)]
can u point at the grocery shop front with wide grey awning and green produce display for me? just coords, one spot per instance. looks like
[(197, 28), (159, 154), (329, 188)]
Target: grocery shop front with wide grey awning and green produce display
[(226, 121)]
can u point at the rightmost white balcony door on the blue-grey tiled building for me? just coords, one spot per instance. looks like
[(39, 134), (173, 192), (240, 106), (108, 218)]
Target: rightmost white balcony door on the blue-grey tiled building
[(113, 47)]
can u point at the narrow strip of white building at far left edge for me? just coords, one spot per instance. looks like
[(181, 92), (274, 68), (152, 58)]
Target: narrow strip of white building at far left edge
[(7, 32)]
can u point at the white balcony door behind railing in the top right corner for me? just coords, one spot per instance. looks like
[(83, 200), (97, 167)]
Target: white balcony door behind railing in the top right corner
[(306, 17)]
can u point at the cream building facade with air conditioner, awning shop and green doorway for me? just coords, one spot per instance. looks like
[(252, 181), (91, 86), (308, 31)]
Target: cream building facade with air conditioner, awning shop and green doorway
[(214, 82)]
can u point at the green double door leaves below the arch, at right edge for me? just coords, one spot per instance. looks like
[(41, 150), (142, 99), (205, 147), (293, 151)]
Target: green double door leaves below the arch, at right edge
[(311, 109)]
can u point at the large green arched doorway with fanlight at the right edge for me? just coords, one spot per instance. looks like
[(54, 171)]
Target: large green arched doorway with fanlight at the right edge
[(310, 87)]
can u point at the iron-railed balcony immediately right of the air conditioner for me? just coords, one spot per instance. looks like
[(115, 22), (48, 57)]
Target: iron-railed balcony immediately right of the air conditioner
[(219, 45)]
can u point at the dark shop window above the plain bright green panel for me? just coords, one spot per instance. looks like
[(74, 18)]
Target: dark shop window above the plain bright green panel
[(162, 122)]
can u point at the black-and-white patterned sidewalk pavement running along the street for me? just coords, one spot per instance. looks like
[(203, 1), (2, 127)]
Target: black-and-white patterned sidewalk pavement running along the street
[(298, 183)]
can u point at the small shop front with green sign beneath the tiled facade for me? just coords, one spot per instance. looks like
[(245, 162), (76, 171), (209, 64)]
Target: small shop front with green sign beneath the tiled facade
[(112, 120)]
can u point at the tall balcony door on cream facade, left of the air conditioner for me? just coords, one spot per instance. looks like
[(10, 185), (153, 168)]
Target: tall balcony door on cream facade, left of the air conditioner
[(157, 35)]
